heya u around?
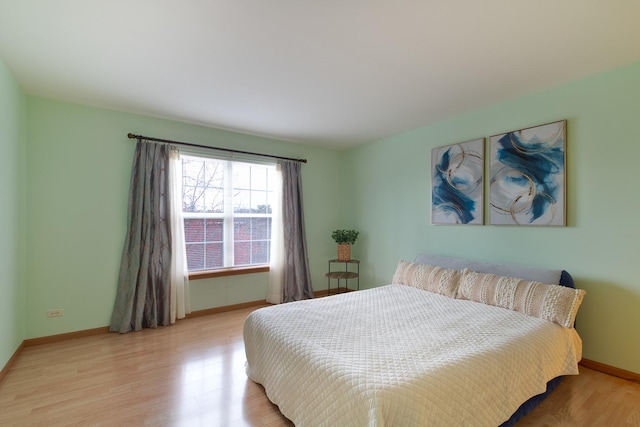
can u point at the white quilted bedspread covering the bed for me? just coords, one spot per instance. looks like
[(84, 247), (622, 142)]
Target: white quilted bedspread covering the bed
[(397, 355)]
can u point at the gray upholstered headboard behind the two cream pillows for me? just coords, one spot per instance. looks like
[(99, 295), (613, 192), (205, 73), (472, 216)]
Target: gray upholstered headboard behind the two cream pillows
[(528, 273)]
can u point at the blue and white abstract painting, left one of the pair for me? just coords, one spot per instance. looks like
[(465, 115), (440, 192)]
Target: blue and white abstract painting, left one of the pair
[(457, 183)]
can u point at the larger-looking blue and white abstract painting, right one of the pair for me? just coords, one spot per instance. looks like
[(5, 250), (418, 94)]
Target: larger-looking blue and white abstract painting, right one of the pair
[(527, 170)]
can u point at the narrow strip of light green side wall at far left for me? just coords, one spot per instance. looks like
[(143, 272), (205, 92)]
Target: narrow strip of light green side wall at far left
[(12, 208)]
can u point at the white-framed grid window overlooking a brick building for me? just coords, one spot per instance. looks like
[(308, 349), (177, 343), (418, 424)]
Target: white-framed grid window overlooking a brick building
[(227, 212)]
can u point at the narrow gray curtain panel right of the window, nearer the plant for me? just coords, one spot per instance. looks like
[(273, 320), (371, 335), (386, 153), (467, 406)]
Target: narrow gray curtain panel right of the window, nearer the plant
[(296, 277)]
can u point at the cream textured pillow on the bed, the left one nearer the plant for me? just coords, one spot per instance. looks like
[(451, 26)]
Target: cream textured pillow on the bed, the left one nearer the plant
[(443, 281)]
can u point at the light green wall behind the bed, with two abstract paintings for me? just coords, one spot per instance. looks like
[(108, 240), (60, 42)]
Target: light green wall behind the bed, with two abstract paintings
[(390, 203)]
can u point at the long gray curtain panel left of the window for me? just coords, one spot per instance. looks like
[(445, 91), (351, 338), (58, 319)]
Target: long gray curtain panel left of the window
[(142, 299)]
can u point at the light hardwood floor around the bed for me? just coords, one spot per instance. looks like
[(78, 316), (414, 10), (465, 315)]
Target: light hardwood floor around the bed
[(192, 374)]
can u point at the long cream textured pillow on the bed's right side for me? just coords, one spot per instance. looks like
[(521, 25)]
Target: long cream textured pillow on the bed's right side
[(554, 303)]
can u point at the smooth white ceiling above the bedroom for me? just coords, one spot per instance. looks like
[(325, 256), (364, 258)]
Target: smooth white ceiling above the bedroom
[(333, 73)]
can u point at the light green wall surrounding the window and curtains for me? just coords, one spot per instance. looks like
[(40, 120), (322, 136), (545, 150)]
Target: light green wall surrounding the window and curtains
[(79, 162)]
